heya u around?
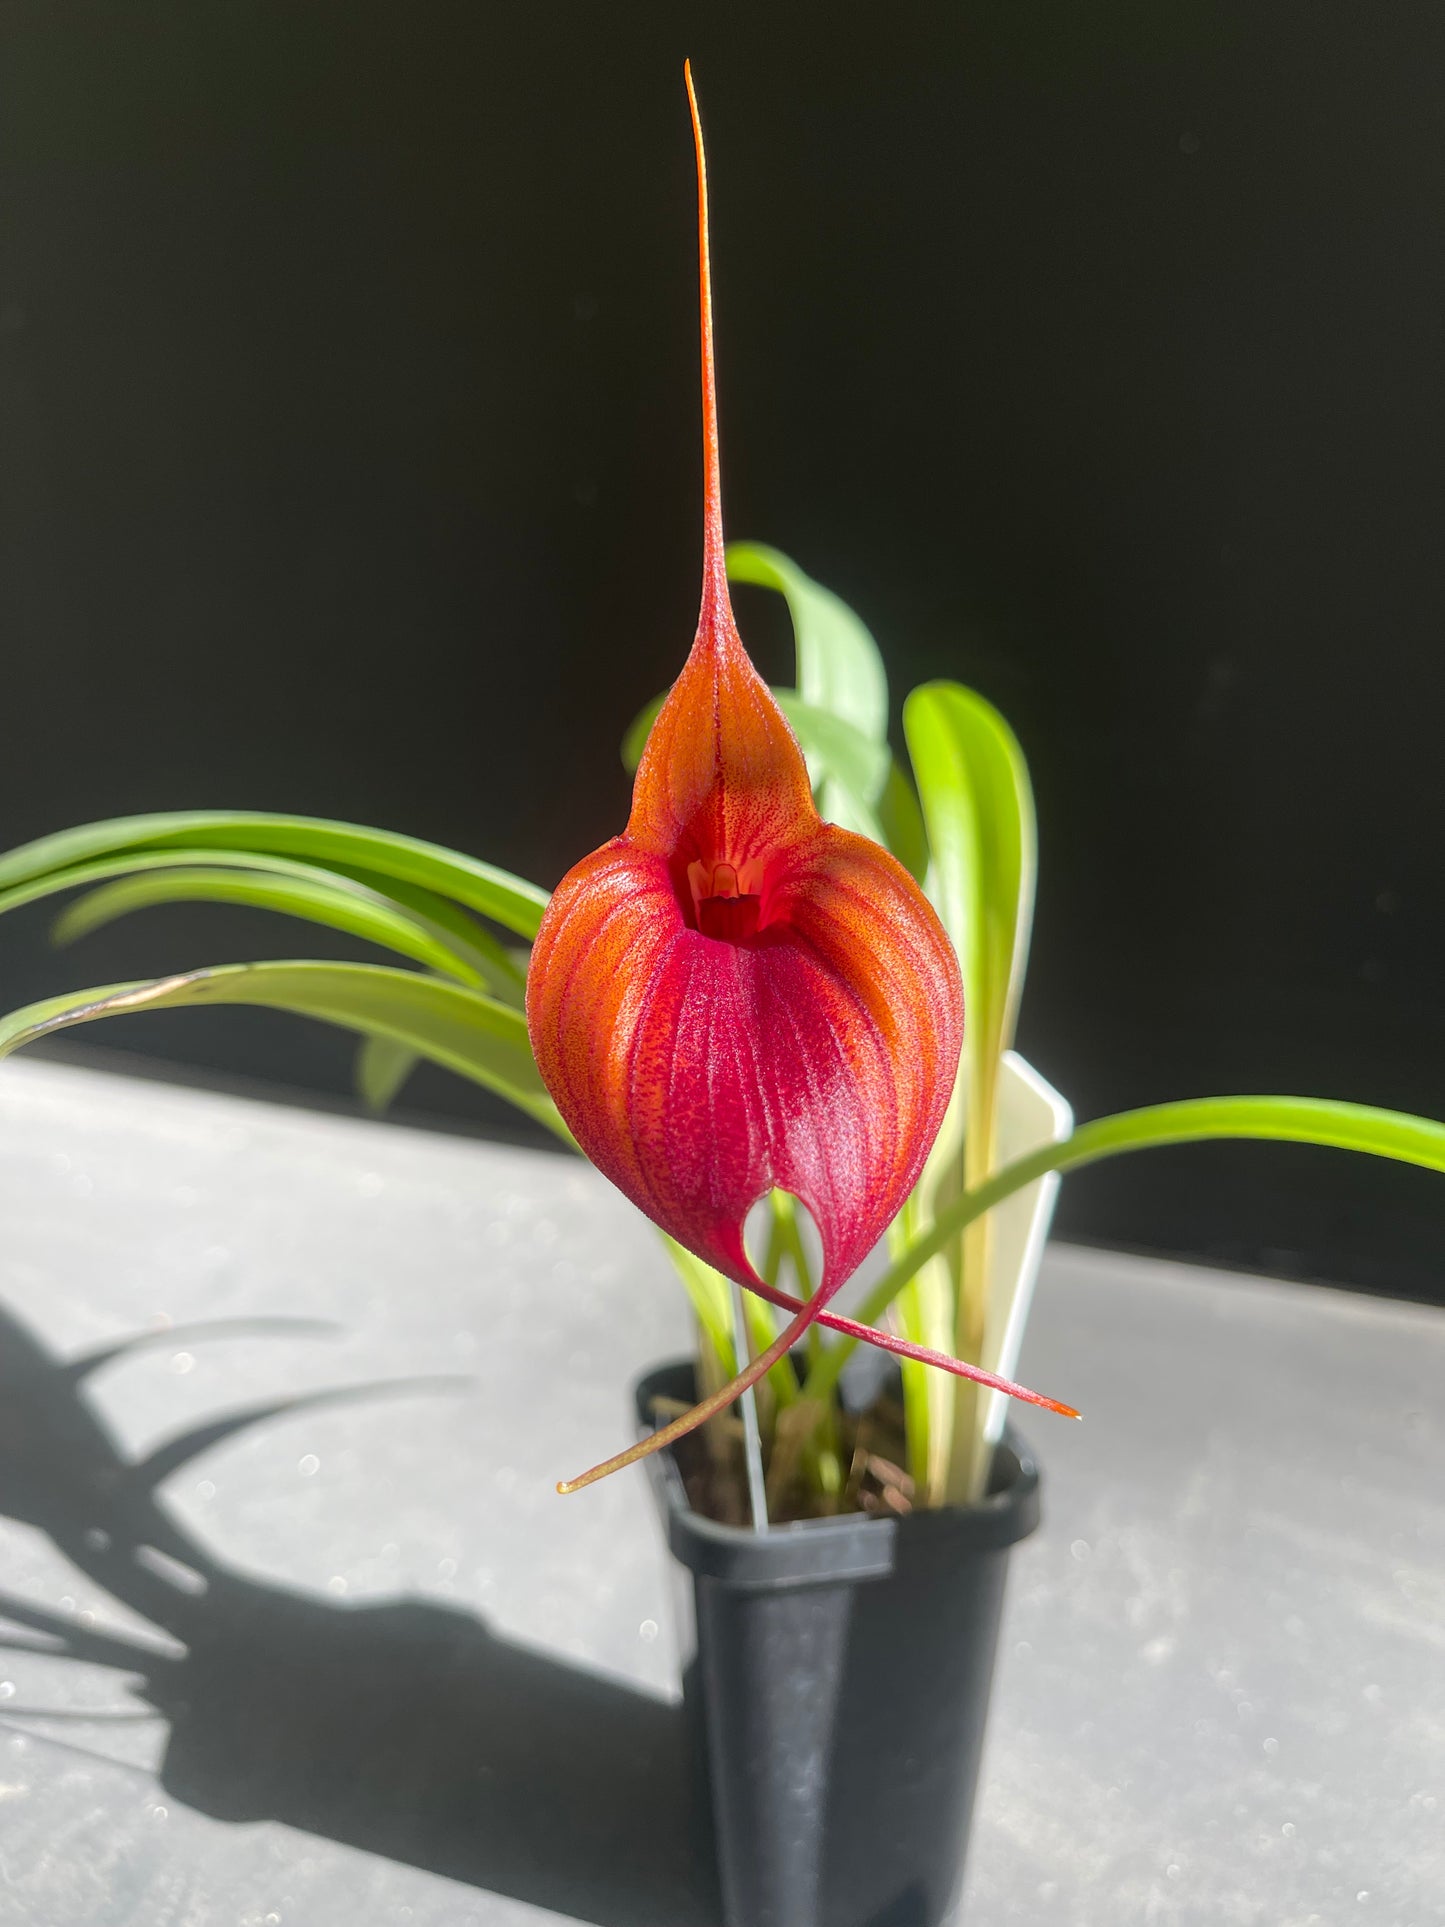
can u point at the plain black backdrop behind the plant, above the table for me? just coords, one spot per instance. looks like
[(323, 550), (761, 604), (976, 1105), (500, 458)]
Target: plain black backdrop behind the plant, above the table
[(348, 465)]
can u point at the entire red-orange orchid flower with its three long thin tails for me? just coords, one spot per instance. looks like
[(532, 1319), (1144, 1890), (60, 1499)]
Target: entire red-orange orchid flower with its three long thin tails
[(735, 995)]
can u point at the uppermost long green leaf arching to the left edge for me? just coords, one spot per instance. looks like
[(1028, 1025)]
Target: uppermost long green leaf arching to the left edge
[(481, 887)]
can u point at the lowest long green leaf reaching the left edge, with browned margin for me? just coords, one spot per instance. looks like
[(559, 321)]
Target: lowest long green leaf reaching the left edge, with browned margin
[(454, 1026)]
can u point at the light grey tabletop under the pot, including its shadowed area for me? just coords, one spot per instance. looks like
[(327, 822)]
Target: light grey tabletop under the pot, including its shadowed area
[(373, 1670)]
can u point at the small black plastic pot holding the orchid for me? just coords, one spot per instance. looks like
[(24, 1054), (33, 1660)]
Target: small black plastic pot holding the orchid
[(839, 1674)]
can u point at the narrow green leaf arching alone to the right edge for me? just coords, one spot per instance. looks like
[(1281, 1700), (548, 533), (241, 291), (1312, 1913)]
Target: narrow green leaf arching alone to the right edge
[(1292, 1121)]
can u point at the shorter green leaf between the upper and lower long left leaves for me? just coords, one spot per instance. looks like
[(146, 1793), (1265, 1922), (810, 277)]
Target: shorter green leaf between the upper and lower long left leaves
[(334, 903)]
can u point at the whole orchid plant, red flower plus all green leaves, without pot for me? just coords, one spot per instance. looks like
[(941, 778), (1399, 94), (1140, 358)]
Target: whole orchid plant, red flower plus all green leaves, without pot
[(733, 999)]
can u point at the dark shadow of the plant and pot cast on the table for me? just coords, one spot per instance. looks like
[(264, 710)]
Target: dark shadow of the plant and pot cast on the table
[(407, 1729)]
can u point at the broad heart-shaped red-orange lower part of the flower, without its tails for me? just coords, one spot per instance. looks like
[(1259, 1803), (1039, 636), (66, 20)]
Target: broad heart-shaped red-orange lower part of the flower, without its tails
[(698, 1072)]
